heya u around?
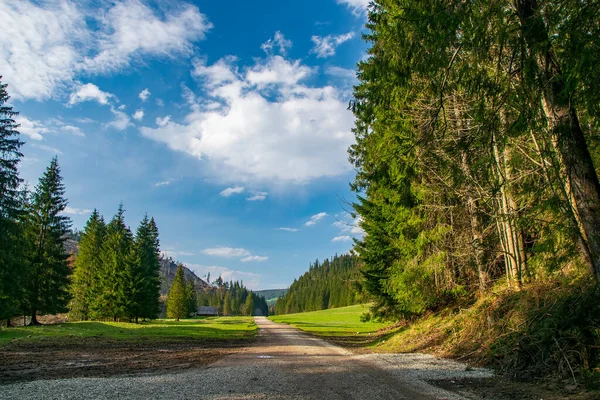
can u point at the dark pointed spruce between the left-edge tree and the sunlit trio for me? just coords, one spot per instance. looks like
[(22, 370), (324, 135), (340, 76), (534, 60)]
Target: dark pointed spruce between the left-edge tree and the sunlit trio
[(47, 280)]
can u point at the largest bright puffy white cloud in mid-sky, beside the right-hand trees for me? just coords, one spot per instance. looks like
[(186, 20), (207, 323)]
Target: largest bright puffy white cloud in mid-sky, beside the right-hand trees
[(264, 124)]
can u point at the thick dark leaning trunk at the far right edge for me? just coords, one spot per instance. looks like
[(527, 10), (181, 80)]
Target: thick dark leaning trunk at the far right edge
[(577, 169)]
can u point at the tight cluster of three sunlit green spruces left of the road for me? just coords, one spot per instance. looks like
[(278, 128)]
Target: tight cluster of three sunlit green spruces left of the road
[(116, 274)]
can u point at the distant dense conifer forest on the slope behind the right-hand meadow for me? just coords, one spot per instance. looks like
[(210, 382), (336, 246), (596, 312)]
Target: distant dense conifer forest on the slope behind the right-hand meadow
[(331, 283)]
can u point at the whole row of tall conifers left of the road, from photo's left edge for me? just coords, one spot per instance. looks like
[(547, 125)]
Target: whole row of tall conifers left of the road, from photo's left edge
[(115, 274)]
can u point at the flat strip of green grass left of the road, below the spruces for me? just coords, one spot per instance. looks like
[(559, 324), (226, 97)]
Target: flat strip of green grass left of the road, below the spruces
[(220, 328)]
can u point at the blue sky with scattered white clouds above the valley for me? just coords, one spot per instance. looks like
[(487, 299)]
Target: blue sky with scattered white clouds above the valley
[(225, 120)]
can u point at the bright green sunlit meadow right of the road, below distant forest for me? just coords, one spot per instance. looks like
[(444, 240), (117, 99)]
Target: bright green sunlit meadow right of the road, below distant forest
[(334, 323)]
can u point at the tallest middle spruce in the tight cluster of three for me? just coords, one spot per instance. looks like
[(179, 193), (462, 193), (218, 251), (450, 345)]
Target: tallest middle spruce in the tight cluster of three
[(117, 256)]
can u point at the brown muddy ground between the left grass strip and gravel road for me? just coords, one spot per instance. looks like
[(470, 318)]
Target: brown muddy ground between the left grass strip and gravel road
[(95, 358)]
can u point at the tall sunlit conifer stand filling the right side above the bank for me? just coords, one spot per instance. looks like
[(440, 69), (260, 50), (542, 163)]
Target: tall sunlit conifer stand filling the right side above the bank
[(476, 149)]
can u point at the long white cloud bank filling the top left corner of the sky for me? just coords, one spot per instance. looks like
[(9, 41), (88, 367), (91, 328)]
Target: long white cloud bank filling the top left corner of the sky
[(45, 45)]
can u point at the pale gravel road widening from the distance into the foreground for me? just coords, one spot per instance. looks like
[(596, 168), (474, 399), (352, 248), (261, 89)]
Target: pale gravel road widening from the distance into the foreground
[(284, 364)]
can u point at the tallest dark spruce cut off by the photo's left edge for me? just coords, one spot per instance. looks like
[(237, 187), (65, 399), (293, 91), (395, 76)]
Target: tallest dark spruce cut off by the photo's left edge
[(11, 254)]
